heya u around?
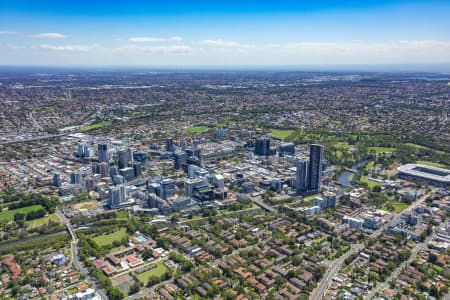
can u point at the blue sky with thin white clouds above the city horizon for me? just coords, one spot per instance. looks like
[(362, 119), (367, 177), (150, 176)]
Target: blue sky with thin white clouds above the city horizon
[(223, 33)]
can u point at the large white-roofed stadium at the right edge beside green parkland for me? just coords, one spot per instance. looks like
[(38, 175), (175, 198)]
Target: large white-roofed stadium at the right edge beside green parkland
[(433, 175)]
